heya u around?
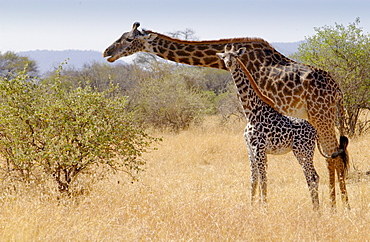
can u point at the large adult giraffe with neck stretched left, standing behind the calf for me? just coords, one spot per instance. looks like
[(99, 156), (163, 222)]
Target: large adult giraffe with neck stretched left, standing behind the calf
[(298, 90)]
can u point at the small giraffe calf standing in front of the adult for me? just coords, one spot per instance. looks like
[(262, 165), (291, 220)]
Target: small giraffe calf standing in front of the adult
[(269, 132)]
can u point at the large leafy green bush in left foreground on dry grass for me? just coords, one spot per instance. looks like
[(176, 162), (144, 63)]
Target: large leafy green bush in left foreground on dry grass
[(50, 131)]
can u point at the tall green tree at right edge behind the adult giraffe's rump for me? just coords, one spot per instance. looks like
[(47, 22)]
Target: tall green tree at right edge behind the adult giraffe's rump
[(343, 51)]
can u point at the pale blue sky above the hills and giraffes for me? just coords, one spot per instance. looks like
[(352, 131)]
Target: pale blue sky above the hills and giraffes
[(93, 25)]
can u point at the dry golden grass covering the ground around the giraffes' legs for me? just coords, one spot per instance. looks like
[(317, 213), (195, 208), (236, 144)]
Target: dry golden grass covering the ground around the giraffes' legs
[(196, 188)]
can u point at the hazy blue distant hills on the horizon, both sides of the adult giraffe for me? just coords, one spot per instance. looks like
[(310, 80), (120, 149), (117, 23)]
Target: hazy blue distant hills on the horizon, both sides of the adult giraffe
[(48, 60)]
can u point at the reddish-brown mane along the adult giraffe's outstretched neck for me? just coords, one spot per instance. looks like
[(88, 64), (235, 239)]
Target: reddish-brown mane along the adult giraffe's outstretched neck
[(220, 41)]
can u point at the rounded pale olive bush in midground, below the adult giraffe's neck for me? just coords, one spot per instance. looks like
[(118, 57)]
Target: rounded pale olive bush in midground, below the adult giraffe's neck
[(167, 101)]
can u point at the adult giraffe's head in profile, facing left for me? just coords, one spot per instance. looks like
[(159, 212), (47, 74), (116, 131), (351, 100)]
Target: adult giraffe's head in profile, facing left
[(129, 43)]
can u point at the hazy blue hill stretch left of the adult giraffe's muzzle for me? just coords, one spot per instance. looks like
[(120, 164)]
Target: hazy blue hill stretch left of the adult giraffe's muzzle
[(48, 60)]
